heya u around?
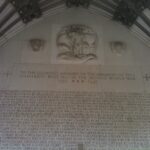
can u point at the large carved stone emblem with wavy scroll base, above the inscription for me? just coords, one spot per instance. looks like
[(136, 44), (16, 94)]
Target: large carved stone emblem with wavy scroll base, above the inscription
[(77, 43)]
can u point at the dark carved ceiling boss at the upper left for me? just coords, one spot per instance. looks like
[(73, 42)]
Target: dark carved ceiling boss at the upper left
[(28, 9)]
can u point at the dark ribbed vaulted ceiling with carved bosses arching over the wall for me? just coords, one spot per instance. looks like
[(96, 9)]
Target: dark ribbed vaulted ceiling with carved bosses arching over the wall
[(15, 15)]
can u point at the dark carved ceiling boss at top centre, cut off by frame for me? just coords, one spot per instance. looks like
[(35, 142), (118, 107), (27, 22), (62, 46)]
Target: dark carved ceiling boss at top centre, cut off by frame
[(77, 3)]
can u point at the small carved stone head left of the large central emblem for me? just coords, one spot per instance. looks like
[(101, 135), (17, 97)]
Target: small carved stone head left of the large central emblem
[(37, 44)]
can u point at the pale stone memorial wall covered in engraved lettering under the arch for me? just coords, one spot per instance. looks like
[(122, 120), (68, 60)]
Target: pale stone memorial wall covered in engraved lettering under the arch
[(70, 83)]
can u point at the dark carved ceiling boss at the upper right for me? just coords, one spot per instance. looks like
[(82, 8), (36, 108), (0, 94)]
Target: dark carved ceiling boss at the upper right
[(128, 10)]
